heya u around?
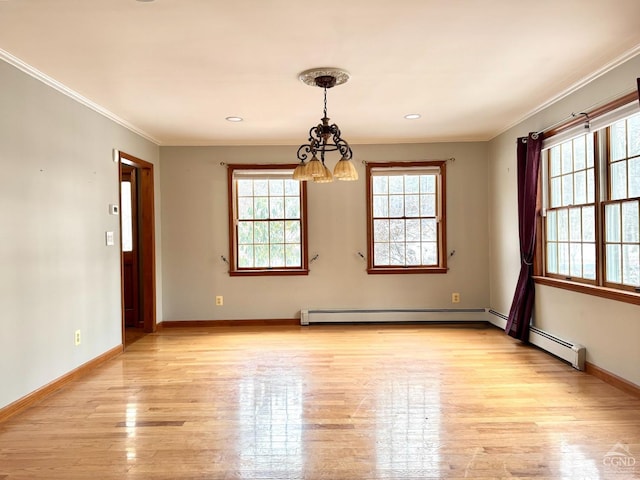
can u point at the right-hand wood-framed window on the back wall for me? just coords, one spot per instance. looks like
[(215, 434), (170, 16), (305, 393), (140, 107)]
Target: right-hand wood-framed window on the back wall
[(406, 217)]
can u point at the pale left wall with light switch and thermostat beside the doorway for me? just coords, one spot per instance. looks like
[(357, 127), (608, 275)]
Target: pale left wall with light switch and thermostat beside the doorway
[(56, 274)]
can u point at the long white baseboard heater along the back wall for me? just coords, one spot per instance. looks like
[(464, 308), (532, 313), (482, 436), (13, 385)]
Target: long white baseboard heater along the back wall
[(328, 315)]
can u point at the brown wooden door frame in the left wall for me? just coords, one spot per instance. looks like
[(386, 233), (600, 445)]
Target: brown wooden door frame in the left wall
[(146, 241)]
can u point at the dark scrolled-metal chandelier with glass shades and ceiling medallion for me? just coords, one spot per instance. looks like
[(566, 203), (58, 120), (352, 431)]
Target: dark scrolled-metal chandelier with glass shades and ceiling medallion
[(324, 137)]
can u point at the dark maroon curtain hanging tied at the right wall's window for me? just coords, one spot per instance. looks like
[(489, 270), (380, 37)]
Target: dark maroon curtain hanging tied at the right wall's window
[(529, 149)]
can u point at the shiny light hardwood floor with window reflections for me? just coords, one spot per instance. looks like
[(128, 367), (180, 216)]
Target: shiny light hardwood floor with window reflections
[(327, 402)]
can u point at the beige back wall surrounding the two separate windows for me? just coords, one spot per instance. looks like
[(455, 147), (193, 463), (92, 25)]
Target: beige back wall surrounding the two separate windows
[(195, 236)]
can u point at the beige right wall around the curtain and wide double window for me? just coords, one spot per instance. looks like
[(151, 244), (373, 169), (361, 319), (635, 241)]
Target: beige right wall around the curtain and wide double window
[(610, 330)]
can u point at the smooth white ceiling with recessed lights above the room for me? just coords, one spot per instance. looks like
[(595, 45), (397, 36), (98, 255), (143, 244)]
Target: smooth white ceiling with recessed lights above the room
[(174, 69)]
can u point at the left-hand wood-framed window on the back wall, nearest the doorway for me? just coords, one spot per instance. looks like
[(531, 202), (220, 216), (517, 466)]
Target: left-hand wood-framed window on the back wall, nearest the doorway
[(267, 223)]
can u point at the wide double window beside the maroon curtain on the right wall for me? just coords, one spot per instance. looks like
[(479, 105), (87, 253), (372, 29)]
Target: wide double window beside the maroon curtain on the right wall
[(591, 195)]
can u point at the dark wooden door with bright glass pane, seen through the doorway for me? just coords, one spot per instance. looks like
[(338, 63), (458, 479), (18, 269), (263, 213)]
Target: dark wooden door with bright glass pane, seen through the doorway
[(130, 246)]
